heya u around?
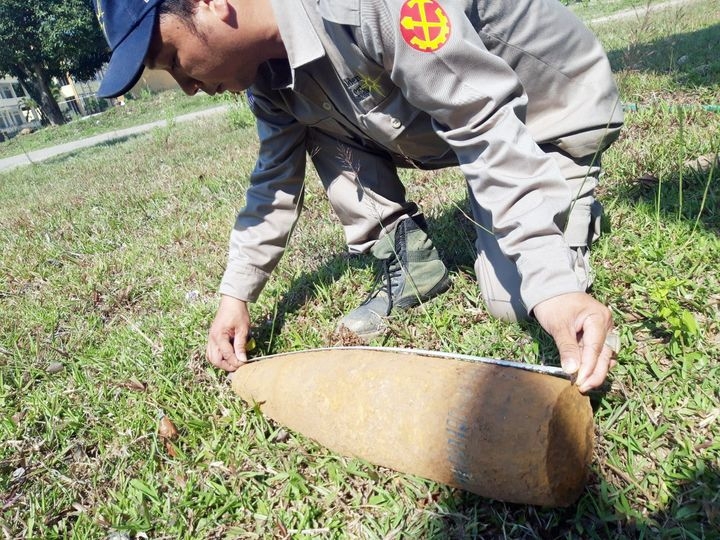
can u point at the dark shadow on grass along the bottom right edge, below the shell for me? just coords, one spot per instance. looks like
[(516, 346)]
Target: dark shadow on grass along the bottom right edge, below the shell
[(692, 511)]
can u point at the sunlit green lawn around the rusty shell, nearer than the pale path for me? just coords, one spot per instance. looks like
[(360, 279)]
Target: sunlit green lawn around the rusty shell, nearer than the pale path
[(110, 262)]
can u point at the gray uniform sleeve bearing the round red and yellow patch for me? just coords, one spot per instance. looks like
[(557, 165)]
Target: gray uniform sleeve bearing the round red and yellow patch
[(477, 104)]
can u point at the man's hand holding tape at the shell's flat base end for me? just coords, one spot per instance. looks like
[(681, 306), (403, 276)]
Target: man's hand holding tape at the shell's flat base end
[(579, 324)]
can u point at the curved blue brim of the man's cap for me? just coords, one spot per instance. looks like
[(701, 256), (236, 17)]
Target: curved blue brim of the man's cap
[(127, 61)]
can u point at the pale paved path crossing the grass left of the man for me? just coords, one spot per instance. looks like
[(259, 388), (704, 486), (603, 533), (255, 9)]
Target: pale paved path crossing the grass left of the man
[(36, 156)]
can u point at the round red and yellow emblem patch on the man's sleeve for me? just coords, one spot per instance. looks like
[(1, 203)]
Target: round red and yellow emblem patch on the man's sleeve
[(424, 25)]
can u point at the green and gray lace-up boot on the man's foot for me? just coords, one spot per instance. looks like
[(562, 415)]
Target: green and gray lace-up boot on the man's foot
[(412, 273)]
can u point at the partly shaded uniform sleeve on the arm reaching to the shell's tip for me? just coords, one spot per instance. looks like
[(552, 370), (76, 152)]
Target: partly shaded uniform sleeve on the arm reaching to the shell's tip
[(273, 202)]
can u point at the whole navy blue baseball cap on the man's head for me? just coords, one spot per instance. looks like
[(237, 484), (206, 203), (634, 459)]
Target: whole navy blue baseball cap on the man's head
[(128, 26)]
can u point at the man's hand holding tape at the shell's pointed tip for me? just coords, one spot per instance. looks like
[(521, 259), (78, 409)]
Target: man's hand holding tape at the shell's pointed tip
[(228, 334)]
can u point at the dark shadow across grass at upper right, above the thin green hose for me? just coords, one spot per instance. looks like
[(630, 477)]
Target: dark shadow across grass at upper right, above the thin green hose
[(691, 58)]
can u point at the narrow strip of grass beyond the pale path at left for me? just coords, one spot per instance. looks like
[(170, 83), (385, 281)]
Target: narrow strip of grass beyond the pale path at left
[(147, 108)]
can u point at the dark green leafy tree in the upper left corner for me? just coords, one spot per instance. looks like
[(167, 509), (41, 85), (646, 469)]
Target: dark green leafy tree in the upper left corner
[(42, 40)]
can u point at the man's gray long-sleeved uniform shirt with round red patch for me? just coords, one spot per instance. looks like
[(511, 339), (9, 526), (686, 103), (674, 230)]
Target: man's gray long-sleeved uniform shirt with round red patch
[(377, 75)]
